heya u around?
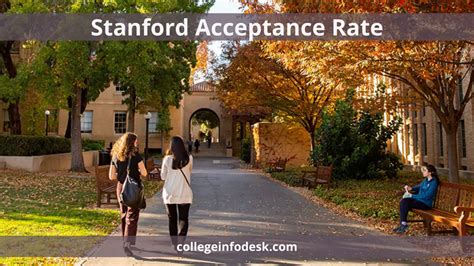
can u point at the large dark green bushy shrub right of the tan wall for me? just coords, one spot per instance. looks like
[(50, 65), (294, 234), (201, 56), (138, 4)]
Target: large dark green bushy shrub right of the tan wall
[(355, 142)]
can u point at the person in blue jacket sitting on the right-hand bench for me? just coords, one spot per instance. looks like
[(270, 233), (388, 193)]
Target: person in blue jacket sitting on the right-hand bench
[(420, 196)]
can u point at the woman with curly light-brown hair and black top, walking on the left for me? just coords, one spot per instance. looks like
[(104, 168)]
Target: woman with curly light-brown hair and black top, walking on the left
[(125, 157)]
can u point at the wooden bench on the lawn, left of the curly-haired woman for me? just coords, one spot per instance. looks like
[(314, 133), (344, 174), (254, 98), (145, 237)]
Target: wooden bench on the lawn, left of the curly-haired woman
[(105, 186)]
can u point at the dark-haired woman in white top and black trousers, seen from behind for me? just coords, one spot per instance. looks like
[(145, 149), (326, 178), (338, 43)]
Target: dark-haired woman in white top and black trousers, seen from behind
[(177, 194)]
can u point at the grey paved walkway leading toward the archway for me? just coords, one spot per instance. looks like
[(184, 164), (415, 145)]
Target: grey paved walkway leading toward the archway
[(231, 204)]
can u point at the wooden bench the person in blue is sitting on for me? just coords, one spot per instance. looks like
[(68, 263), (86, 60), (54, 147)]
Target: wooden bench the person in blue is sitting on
[(453, 206)]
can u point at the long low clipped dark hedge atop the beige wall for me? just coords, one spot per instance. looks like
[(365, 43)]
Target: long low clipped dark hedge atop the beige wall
[(33, 145)]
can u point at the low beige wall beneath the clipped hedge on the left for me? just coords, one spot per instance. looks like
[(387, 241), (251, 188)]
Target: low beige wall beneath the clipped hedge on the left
[(44, 163)]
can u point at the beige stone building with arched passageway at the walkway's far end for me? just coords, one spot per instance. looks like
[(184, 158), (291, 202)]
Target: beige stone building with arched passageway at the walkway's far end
[(106, 118)]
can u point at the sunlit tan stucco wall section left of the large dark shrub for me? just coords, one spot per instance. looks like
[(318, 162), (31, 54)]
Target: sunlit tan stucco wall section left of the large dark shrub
[(273, 140)]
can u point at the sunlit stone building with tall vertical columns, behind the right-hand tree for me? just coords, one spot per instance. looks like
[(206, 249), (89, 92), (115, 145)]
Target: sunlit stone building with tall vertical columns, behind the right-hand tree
[(421, 138)]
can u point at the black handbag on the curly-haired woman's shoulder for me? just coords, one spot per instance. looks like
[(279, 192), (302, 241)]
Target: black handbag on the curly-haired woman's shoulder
[(132, 194)]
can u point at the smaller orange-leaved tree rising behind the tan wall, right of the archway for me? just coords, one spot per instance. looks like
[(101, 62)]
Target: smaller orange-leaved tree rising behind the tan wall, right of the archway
[(251, 82)]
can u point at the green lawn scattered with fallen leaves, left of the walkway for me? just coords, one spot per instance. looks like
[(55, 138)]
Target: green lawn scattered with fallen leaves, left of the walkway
[(54, 205)]
